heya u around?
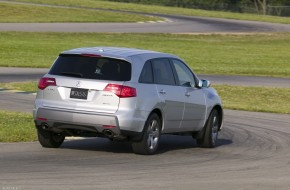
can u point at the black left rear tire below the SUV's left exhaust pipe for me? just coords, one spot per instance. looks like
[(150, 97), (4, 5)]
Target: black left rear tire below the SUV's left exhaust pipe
[(49, 139)]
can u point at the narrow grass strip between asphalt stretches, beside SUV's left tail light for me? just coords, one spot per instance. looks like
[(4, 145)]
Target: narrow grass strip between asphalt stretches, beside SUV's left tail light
[(21, 86)]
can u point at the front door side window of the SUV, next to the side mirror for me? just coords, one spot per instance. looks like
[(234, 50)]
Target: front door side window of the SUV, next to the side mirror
[(183, 73)]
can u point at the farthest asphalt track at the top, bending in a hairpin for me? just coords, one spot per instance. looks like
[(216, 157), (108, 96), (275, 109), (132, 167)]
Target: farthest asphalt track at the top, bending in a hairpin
[(176, 24)]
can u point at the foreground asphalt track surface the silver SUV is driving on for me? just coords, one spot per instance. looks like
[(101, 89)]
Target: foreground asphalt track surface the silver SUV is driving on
[(253, 153)]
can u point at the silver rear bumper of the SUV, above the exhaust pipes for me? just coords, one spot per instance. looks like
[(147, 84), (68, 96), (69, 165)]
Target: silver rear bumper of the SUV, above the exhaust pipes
[(120, 123)]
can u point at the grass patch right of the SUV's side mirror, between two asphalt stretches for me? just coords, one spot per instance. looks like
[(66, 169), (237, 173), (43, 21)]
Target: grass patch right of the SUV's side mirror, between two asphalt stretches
[(258, 99)]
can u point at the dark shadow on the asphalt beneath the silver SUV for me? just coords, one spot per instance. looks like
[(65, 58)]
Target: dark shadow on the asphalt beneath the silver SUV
[(168, 143)]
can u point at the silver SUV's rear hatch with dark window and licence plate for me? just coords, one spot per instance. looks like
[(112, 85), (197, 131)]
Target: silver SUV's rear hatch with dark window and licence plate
[(85, 83)]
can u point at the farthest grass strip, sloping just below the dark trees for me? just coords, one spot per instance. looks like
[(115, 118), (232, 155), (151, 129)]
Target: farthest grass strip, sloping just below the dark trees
[(162, 9)]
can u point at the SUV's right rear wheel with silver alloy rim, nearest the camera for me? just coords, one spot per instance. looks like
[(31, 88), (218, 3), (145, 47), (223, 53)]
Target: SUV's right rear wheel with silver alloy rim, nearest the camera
[(151, 136)]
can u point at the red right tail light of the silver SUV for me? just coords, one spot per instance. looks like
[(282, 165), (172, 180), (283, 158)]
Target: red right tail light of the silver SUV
[(121, 90)]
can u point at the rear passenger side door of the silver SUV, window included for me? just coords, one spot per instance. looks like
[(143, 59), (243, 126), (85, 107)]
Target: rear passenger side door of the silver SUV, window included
[(169, 93)]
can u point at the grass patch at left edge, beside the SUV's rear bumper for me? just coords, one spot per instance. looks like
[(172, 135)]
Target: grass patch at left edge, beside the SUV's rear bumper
[(16, 127)]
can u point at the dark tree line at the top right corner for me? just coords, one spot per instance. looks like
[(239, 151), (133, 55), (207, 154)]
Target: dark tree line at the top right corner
[(270, 7)]
